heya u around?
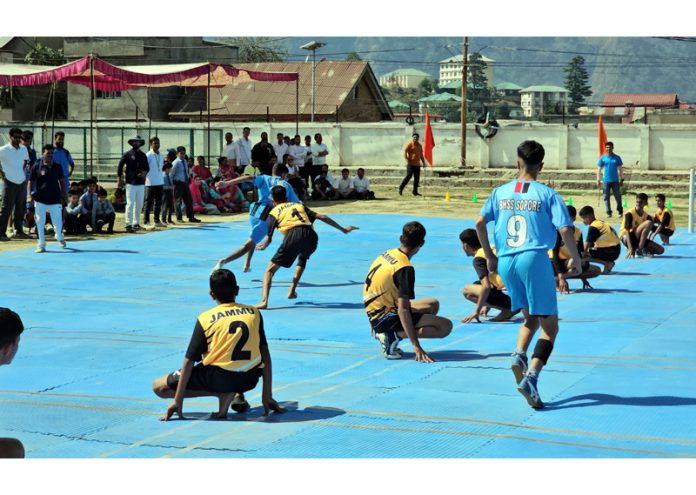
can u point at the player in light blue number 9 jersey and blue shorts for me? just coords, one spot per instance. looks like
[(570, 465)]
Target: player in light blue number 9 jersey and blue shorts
[(527, 216)]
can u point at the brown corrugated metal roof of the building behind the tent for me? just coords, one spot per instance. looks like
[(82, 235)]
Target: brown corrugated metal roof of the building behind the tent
[(334, 82)]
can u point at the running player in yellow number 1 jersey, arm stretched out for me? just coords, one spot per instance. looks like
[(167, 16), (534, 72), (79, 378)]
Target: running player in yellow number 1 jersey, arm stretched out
[(295, 221)]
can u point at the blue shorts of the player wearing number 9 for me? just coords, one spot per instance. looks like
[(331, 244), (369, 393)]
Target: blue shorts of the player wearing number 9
[(528, 277)]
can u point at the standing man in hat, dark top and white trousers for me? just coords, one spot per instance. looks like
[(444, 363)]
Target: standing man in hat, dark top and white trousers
[(136, 164)]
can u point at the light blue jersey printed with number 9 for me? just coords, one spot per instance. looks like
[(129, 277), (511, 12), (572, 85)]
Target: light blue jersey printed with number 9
[(527, 215)]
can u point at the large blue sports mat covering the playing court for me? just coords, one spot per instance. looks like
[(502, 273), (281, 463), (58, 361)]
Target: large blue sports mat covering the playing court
[(105, 318)]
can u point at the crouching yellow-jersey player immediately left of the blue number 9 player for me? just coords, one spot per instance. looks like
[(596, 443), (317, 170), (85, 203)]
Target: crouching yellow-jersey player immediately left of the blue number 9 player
[(487, 291)]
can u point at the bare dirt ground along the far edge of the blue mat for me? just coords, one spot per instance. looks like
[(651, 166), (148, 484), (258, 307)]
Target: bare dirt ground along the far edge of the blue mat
[(460, 205)]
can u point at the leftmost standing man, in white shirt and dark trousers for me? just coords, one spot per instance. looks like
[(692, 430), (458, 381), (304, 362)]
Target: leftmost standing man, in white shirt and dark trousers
[(13, 158)]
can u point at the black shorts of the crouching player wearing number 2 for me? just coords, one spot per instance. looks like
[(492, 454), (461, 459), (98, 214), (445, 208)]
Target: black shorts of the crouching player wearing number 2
[(217, 380)]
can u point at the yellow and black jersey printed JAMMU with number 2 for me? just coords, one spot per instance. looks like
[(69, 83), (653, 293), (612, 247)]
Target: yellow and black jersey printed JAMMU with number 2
[(228, 336)]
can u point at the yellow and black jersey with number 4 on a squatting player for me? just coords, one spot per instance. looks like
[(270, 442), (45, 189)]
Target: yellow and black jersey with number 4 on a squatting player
[(390, 276)]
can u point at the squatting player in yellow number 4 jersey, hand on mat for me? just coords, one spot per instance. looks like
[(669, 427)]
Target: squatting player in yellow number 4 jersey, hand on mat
[(388, 294)]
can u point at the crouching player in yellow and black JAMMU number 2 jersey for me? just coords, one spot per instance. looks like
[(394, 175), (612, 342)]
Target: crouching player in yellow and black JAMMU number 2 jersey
[(230, 343)]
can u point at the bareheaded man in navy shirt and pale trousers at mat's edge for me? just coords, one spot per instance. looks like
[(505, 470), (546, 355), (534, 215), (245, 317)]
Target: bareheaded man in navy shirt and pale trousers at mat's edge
[(45, 188)]
